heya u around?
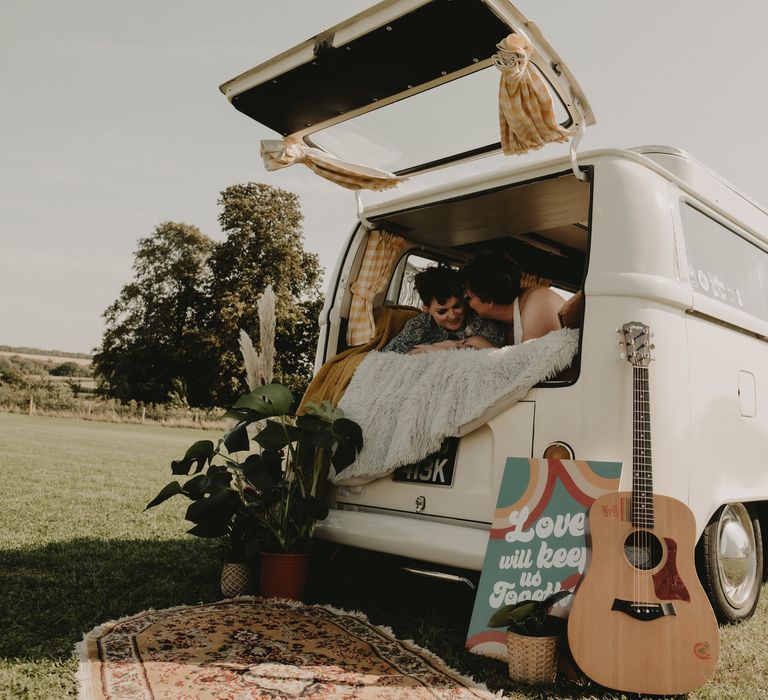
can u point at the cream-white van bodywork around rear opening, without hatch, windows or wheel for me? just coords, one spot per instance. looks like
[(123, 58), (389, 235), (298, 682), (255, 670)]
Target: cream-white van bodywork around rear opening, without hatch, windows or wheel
[(707, 379)]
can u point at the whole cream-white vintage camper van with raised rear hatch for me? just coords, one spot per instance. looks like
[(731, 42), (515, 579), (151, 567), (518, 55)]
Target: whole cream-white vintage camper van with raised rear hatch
[(647, 235)]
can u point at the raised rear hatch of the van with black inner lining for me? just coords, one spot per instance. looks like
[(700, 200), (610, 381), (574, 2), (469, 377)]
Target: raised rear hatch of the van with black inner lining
[(405, 86)]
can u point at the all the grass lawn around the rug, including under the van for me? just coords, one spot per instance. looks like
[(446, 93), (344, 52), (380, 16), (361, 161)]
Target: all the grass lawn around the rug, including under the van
[(76, 550)]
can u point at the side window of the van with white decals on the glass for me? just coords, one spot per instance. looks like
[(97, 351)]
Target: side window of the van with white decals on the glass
[(725, 266)]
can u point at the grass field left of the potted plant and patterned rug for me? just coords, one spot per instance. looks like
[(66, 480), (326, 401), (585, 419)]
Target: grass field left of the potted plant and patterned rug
[(76, 549)]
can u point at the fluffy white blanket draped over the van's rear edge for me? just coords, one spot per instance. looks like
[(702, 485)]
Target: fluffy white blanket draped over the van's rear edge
[(407, 405)]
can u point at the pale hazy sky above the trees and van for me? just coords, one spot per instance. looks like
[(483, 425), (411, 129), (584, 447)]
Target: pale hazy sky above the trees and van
[(112, 122)]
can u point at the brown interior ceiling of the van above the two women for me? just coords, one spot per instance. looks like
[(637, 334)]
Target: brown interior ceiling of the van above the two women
[(542, 224)]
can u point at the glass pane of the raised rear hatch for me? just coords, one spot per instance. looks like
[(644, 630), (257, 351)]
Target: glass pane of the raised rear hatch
[(426, 127)]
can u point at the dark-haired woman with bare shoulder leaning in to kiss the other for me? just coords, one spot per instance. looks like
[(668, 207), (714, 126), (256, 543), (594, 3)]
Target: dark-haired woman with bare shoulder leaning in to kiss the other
[(493, 291)]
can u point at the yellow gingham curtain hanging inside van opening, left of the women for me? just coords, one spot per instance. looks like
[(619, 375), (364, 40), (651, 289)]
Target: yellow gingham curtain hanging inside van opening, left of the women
[(380, 254)]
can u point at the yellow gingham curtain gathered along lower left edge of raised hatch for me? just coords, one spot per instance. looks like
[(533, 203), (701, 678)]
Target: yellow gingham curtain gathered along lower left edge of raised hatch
[(282, 153)]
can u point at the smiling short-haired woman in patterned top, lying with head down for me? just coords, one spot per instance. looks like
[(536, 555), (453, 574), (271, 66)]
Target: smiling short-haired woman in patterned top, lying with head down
[(445, 323)]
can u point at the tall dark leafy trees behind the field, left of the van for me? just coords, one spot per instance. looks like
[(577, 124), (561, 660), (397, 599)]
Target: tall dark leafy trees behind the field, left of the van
[(172, 334)]
